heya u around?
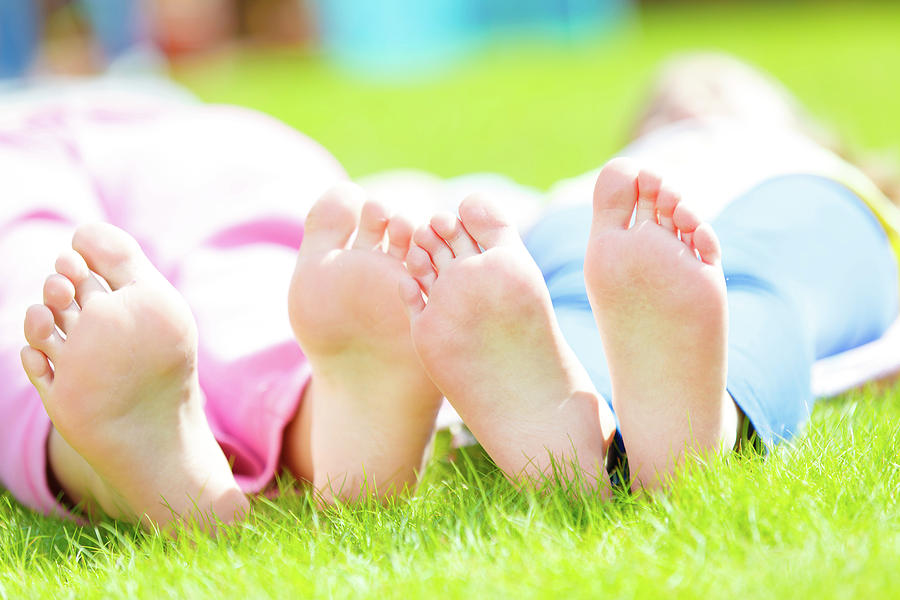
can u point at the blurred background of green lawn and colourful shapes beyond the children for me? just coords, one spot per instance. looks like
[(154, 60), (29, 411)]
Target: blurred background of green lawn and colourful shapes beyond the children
[(538, 90)]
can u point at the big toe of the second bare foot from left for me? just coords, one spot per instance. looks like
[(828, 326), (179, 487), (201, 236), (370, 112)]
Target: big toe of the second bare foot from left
[(333, 219)]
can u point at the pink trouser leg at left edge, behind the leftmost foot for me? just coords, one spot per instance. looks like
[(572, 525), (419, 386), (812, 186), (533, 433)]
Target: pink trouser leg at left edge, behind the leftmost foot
[(35, 225)]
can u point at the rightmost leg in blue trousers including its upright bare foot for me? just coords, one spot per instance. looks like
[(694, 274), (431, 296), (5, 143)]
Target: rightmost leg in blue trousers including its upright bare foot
[(792, 299)]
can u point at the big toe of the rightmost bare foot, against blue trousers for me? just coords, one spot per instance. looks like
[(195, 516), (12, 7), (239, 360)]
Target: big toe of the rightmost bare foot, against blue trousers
[(615, 195)]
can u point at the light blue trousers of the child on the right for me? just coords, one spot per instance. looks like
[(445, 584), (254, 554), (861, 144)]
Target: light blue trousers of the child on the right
[(809, 272)]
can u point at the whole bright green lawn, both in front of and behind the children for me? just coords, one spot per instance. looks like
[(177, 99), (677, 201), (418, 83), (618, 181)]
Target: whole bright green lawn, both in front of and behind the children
[(817, 519)]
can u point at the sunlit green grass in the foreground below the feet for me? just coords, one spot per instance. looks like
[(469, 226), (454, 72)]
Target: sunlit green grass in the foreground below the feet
[(816, 519)]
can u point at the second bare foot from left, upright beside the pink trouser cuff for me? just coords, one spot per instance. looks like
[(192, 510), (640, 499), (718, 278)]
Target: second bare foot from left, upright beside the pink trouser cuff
[(369, 411)]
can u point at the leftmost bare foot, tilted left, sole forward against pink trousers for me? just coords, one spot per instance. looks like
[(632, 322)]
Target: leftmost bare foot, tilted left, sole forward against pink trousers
[(121, 387)]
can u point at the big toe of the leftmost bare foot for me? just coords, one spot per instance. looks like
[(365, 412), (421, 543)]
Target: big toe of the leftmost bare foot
[(111, 253)]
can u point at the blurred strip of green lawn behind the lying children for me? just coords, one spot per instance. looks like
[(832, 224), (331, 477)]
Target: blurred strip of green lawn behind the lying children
[(542, 111)]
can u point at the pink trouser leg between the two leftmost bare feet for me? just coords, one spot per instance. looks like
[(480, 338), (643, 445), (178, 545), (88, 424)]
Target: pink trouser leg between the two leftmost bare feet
[(229, 188)]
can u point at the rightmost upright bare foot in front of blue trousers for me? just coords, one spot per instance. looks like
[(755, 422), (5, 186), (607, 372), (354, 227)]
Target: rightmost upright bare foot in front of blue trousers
[(663, 320)]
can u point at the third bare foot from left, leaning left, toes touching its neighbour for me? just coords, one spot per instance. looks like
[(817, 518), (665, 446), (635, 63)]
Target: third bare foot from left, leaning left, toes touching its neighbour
[(489, 339)]
